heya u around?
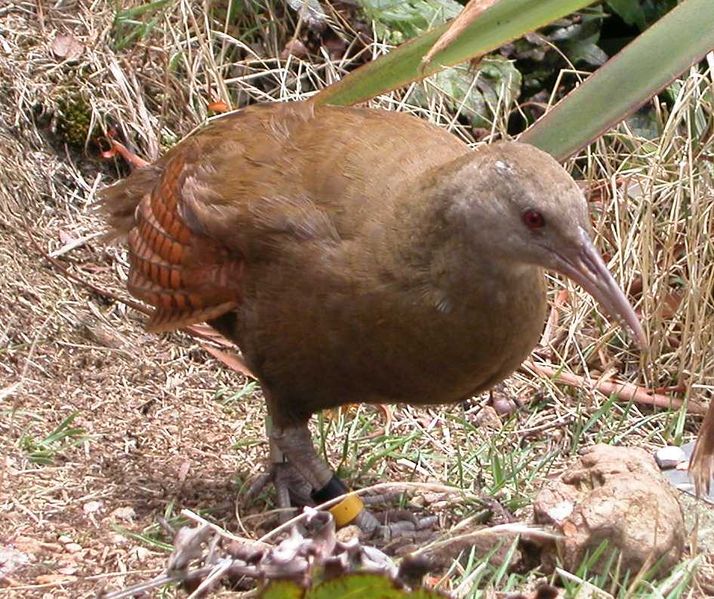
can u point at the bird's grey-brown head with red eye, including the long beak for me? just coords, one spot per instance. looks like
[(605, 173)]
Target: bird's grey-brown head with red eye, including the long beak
[(526, 208)]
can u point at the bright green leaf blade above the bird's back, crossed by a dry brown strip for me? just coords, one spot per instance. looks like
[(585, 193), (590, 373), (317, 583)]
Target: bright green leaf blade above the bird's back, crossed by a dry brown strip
[(500, 24)]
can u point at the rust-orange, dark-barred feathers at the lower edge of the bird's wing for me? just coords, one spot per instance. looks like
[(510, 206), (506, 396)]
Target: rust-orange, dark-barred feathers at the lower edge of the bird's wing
[(185, 275)]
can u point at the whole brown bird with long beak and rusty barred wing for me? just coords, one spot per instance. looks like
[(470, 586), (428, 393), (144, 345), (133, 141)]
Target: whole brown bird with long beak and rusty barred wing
[(355, 255)]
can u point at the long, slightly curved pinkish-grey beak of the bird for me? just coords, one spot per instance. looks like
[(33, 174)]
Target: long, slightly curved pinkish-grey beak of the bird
[(587, 268)]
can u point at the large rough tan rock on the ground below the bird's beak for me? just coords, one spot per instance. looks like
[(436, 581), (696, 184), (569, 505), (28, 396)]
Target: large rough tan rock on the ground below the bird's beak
[(615, 494)]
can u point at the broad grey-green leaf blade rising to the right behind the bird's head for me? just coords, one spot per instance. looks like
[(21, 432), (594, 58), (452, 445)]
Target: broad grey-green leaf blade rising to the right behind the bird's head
[(623, 84)]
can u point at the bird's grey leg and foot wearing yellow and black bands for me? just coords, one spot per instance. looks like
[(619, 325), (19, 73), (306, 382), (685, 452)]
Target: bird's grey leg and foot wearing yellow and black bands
[(295, 445)]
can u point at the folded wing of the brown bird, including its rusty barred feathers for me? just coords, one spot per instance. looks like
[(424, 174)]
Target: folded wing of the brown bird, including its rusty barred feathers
[(215, 201)]
